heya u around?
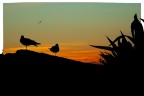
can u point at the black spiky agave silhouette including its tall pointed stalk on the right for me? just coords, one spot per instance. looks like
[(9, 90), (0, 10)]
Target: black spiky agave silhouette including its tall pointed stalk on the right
[(124, 49)]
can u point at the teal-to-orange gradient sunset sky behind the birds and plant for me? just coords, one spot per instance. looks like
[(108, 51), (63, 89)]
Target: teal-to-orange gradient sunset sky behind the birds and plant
[(72, 25)]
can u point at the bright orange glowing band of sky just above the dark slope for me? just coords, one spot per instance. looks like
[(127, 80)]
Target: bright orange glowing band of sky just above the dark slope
[(79, 54)]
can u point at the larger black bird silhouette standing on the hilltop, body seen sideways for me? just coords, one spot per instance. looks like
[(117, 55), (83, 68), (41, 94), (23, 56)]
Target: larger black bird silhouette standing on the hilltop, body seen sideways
[(27, 41)]
